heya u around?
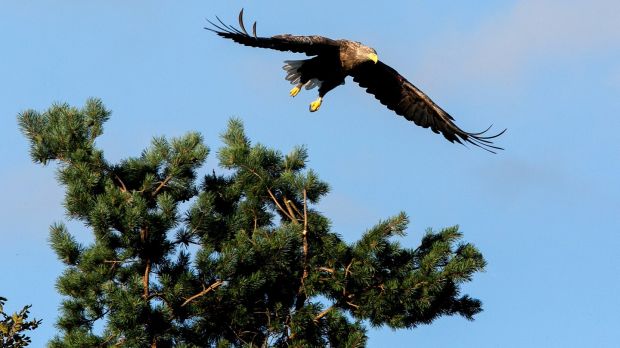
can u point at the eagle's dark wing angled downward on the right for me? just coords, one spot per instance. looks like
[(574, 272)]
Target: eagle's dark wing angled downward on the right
[(401, 96)]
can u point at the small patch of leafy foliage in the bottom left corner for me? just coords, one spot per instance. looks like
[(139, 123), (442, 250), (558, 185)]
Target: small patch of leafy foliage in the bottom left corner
[(12, 327)]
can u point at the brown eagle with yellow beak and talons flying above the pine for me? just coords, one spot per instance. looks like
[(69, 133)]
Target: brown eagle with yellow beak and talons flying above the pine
[(333, 60)]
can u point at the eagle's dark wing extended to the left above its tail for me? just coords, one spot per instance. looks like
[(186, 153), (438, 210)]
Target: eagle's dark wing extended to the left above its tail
[(310, 45)]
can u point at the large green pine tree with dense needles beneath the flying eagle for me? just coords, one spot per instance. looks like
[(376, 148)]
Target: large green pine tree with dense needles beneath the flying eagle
[(250, 262)]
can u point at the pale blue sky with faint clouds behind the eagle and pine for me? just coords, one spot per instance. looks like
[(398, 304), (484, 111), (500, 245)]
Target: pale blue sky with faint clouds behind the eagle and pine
[(545, 212)]
